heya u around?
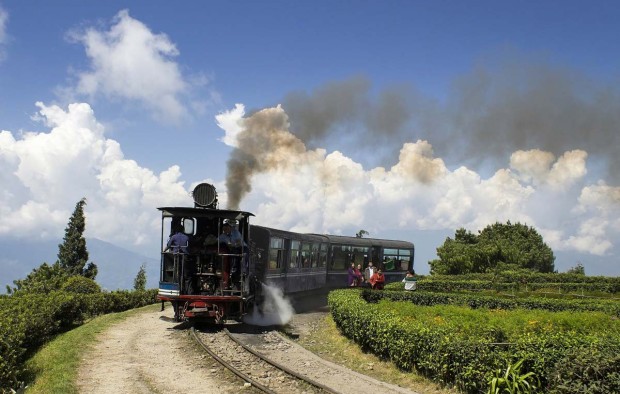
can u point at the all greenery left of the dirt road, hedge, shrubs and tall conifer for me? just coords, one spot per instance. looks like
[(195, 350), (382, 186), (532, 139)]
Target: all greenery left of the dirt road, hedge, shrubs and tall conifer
[(54, 299)]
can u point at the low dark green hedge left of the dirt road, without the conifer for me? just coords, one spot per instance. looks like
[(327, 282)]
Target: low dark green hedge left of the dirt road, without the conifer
[(29, 320)]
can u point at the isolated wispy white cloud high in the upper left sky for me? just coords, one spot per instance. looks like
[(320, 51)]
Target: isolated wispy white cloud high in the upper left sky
[(129, 61)]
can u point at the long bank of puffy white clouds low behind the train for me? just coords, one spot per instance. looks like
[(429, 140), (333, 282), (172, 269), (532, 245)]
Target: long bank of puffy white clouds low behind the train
[(44, 173)]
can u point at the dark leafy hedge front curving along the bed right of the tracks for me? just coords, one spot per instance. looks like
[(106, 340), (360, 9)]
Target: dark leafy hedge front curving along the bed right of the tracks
[(467, 356)]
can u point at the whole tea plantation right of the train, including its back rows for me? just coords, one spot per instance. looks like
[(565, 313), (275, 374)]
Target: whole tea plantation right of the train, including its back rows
[(538, 333)]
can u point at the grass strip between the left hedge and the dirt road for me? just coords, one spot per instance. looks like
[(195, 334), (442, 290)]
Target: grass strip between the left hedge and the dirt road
[(55, 365)]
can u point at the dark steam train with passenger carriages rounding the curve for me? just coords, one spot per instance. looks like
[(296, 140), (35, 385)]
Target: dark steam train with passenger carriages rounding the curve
[(210, 280)]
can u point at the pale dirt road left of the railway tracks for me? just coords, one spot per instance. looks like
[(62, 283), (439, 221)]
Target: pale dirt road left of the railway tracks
[(145, 354)]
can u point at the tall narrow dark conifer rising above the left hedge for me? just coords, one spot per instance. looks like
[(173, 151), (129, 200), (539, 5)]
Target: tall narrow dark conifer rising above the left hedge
[(72, 253)]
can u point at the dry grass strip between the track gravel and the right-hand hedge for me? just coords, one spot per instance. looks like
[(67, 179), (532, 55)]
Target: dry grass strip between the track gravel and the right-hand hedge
[(326, 341)]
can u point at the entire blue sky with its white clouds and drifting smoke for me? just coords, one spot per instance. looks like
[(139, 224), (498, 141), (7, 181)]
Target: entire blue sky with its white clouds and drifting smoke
[(405, 118)]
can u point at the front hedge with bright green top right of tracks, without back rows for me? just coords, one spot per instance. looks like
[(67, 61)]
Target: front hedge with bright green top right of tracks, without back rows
[(465, 347)]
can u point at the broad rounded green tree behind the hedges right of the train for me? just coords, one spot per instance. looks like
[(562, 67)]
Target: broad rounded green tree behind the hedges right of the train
[(497, 245)]
